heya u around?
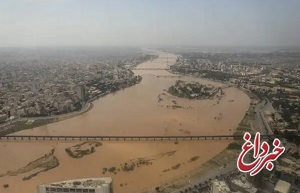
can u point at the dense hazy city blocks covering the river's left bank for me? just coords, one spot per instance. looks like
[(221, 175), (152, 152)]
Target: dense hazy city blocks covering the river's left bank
[(49, 82)]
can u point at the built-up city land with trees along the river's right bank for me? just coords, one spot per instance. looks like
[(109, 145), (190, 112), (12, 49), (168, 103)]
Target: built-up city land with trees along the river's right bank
[(273, 79)]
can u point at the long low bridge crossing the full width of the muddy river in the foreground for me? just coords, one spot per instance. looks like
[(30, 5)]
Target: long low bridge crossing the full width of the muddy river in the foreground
[(122, 138)]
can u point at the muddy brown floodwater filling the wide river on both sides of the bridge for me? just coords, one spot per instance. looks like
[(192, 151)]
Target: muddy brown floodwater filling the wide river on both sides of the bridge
[(143, 109)]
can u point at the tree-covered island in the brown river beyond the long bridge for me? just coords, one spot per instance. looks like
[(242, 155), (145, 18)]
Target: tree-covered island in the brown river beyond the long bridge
[(194, 90)]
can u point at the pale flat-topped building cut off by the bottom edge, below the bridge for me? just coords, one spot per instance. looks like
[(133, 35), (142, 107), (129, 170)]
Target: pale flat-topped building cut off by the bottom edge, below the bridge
[(88, 185)]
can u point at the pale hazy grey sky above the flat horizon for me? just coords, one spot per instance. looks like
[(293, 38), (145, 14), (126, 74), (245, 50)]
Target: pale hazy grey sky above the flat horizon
[(149, 22)]
